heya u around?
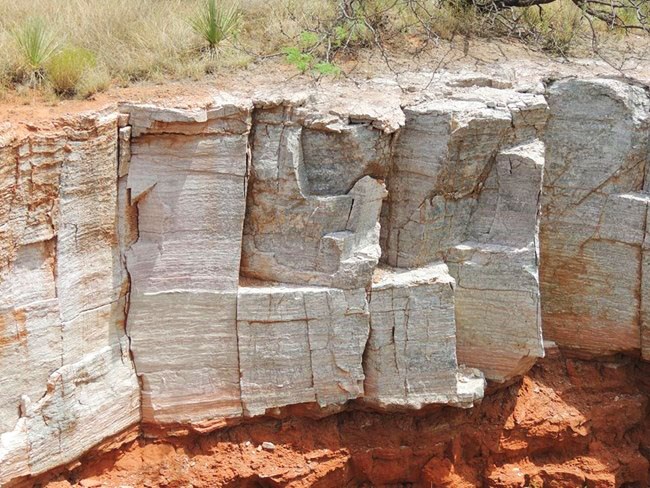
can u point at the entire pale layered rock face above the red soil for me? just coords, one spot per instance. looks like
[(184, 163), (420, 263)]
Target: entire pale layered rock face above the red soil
[(191, 267)]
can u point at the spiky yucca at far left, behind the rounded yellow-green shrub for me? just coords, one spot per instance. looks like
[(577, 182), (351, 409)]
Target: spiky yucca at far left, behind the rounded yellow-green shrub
[(36, 46)]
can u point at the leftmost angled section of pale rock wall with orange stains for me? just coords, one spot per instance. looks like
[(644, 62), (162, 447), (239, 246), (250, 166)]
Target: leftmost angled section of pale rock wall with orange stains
[(67, 381)]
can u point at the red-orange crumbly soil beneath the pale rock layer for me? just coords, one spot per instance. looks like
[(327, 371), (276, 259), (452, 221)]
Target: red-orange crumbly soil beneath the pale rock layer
[(568, 423)]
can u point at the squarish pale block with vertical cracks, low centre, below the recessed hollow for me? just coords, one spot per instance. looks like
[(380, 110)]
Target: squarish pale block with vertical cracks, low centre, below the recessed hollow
[(299, 345)]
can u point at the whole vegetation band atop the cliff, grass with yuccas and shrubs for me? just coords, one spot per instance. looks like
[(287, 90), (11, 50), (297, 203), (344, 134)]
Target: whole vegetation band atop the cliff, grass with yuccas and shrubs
[(159, 40)]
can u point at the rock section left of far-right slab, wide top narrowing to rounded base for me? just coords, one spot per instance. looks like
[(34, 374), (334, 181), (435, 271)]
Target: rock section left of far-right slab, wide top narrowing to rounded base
[(465, 189)]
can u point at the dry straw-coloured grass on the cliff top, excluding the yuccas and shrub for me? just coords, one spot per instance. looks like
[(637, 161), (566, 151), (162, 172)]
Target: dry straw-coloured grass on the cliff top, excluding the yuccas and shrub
[(153, 40)]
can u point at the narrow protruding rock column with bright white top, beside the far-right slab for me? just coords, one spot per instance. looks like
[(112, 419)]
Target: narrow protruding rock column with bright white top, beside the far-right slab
[(497, 295)]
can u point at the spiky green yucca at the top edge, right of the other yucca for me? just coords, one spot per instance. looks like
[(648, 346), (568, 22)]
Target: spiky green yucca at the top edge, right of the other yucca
[(216, 23)]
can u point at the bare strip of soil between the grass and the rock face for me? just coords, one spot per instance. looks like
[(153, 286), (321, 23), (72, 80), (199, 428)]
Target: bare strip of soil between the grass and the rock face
[(506, 59)]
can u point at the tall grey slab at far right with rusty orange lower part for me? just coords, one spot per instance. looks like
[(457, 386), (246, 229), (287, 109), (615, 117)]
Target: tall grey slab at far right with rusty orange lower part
[(594, 217)]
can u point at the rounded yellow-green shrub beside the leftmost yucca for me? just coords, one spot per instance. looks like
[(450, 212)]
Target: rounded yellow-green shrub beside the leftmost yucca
[(66, 69)]
